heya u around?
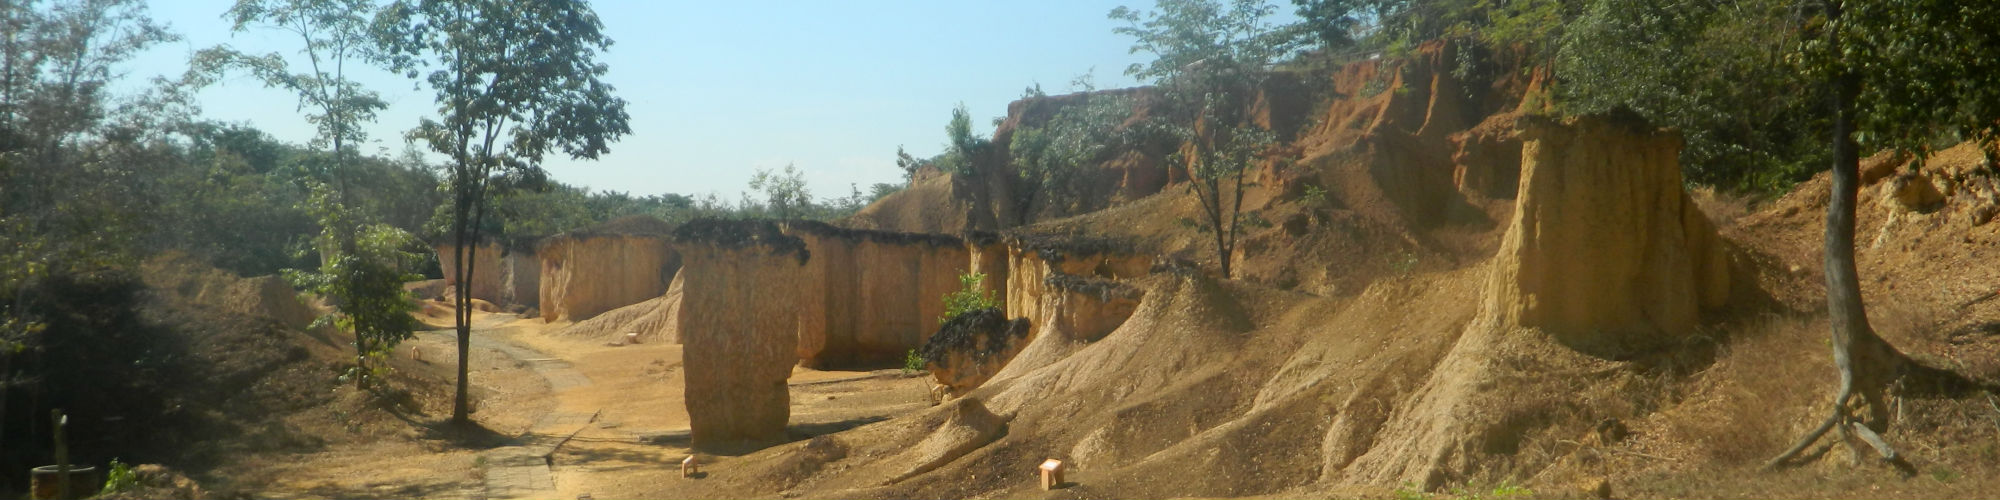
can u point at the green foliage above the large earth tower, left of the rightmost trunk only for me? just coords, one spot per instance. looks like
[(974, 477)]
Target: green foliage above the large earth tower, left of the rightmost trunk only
[(1715, 73)]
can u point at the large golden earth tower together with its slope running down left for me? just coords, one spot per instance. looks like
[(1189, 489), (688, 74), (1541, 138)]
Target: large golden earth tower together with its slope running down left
[(1605, 259)]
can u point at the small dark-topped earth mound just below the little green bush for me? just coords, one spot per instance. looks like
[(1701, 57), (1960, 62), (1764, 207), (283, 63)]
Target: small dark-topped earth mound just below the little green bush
[(973, 349)]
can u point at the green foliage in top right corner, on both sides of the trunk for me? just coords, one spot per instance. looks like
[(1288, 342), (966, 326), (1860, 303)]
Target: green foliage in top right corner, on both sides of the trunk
[(1743, 81)]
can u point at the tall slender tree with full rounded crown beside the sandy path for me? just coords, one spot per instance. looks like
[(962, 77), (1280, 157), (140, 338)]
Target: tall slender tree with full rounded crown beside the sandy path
[(515, 81)]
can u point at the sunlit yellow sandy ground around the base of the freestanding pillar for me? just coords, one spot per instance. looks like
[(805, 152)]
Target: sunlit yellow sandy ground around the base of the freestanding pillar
[(629, 447)]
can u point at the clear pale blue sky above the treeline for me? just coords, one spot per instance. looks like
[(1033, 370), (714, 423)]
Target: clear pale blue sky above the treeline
[(721, 89)]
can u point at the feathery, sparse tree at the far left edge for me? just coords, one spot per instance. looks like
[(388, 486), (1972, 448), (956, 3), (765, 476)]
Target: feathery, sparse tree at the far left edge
[(57, 65)]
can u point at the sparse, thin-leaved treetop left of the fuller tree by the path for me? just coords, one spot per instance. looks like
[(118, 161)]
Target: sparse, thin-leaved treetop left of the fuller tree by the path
[(333, 35)]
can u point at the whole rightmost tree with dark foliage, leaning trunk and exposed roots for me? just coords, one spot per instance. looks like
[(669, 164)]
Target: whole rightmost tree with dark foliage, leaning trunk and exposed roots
[(1903, 75)]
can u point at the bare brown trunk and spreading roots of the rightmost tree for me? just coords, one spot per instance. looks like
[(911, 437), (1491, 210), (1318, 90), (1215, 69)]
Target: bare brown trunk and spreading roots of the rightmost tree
[(1865, 361)]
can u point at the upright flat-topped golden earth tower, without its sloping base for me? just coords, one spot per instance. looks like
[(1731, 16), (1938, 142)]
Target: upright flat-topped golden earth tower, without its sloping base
[(1607, 251)]
